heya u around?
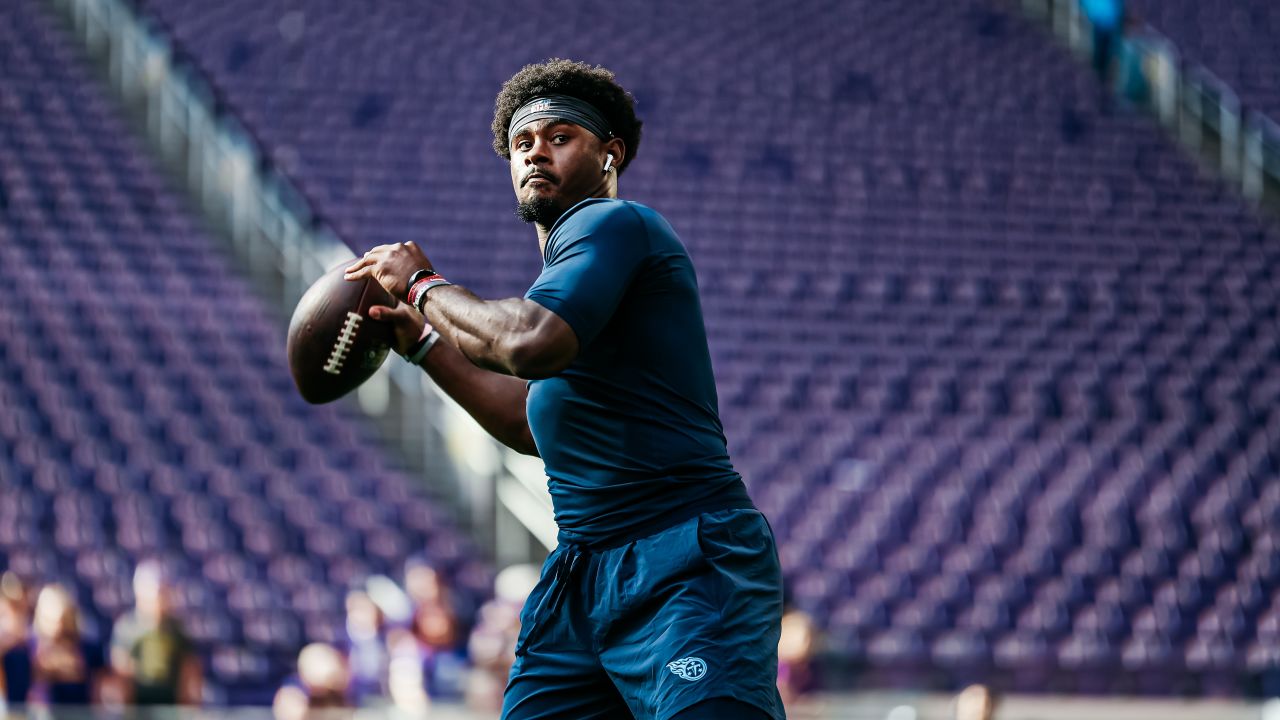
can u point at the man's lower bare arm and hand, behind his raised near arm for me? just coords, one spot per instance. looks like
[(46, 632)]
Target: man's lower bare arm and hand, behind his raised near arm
[(496, 402)]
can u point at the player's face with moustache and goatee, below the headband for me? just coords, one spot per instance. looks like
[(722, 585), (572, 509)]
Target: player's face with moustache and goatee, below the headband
[(555, 165)]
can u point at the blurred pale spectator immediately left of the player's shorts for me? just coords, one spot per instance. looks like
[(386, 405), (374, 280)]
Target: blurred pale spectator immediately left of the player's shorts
[(493, 641)]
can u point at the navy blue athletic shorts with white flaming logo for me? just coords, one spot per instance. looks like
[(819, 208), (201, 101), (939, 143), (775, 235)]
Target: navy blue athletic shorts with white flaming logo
[(648, 628)]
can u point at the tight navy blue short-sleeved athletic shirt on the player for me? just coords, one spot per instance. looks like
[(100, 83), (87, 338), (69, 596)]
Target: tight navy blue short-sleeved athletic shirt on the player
[(630, 432)]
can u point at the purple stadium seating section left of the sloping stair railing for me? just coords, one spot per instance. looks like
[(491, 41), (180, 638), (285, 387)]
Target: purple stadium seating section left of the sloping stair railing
[(147, 404)]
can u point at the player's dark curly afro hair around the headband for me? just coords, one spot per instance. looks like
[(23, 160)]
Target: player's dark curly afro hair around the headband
[(577, 80)]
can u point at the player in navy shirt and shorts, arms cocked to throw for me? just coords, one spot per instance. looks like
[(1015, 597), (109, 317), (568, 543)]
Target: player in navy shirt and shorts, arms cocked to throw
[(664, 596)]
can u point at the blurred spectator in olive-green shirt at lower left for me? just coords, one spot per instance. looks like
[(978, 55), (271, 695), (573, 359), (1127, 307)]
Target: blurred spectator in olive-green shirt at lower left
[(150, 649)]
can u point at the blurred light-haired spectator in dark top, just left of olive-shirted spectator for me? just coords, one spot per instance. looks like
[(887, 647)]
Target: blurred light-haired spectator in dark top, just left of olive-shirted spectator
[(65, 667)]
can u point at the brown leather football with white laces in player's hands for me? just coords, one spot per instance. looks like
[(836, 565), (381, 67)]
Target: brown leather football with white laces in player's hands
[(335, 345)]
